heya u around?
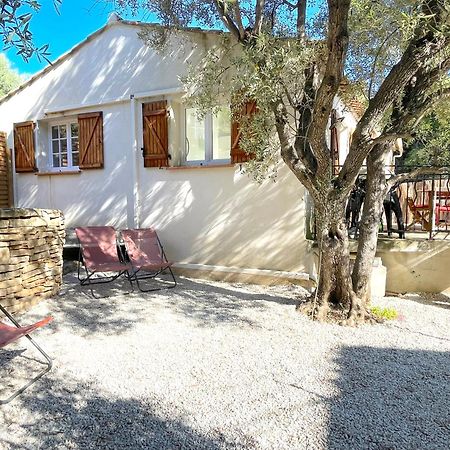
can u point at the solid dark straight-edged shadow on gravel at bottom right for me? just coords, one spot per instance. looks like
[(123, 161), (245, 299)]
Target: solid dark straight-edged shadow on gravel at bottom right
[(391, 399)]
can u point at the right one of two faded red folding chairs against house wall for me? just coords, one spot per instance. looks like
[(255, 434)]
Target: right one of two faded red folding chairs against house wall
[(147, 257)]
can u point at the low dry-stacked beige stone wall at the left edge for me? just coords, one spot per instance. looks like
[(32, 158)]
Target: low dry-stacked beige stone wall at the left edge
[(31, 262)]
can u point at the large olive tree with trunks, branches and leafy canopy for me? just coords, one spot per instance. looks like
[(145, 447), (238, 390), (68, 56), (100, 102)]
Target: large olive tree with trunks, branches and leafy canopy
[(394, 54)]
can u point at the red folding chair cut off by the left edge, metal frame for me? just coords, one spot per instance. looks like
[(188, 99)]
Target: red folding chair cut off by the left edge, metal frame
[(10, 334)]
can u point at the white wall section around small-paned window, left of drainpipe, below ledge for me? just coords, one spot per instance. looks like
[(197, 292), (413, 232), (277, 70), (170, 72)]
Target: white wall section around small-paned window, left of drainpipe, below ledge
[(91, 197)]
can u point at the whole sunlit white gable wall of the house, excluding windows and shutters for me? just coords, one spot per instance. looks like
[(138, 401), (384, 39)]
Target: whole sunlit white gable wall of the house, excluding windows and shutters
[(214, 216)]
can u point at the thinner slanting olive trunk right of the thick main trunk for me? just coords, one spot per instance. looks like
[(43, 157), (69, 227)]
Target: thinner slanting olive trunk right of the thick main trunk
[(370, 221)]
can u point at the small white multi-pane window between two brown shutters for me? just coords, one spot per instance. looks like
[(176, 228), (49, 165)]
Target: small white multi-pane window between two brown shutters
[(64, 152)]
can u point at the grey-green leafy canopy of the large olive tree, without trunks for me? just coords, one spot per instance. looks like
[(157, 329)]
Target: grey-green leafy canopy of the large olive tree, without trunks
[(272, 65)]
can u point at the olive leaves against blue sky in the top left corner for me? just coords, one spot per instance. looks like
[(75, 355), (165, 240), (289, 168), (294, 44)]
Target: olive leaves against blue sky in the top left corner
[(15, 19)]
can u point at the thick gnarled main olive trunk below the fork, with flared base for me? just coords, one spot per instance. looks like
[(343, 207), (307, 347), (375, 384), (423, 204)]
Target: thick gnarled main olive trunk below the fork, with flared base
[(334, 284)]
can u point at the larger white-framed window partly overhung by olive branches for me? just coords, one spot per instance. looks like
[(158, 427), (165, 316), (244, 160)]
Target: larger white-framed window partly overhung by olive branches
[(208, 140)]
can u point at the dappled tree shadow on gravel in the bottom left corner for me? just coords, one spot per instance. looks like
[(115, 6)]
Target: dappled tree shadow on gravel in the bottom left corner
[(79, 418)]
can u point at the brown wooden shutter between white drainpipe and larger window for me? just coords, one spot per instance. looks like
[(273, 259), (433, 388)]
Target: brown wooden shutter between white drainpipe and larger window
[(156, 137)]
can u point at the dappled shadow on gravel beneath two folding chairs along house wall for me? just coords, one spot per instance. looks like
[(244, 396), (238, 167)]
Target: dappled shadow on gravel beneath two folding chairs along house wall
[(206, 303)]
